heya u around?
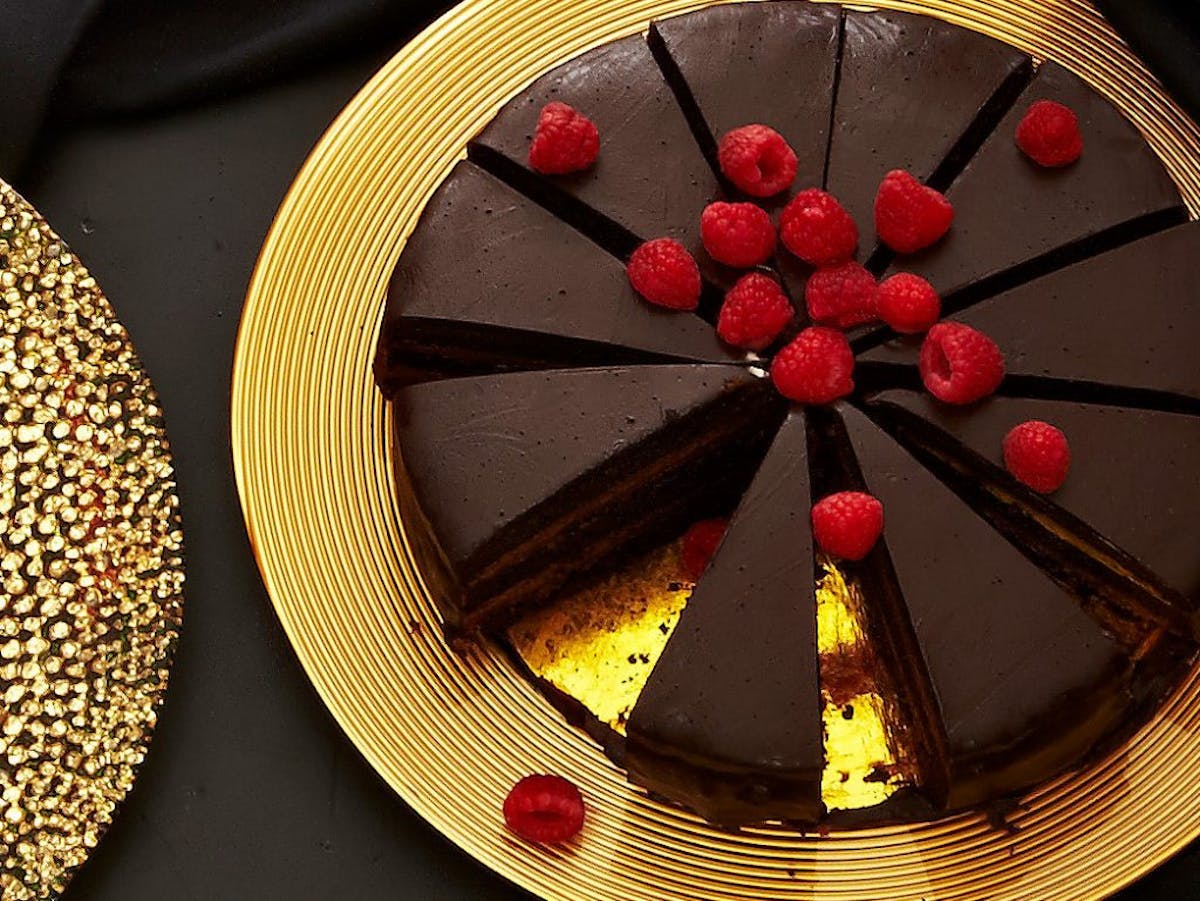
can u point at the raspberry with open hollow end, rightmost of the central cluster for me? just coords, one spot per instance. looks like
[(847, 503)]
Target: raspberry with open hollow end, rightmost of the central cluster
[(961, 365)]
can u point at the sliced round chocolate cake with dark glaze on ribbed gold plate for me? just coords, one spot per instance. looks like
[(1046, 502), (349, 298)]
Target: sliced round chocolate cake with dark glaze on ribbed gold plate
[(551, 425)]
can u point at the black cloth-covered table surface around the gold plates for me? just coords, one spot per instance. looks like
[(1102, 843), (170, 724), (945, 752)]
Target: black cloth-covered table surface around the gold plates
[(159, 140)]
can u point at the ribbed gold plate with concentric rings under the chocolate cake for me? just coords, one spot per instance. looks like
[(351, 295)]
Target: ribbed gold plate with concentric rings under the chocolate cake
[(452, 734)]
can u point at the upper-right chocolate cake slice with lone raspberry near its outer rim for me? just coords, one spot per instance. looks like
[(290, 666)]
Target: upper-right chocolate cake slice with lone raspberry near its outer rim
[(1015, 220)]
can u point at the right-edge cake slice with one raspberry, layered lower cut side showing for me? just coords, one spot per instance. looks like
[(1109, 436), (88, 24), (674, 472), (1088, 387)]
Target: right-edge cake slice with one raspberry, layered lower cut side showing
[(1132, 492)]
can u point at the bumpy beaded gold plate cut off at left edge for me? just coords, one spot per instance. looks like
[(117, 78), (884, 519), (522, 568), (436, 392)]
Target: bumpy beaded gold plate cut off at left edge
[(92, 563)]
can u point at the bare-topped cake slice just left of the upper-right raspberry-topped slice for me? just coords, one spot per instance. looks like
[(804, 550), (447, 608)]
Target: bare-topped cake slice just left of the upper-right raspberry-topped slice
[(916, 94)]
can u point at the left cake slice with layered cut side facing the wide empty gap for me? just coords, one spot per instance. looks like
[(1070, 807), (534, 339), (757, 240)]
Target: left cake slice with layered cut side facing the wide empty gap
[(514, 484)]
